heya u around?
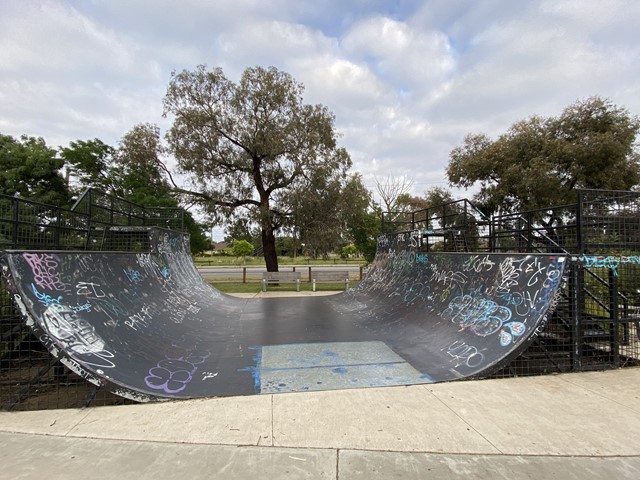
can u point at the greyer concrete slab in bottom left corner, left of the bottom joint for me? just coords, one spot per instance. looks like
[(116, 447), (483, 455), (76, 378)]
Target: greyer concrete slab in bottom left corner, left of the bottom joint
[(36, 457)]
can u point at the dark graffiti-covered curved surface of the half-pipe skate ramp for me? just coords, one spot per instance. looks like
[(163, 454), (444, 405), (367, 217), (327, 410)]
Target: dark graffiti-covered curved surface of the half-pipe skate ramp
[(147, 326)]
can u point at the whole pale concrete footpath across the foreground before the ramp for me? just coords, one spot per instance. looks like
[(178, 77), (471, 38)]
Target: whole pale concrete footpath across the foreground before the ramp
[(564, 426)]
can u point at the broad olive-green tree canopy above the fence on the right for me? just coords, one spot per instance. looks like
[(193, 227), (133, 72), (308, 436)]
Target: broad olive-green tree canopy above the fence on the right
[(539, 162)]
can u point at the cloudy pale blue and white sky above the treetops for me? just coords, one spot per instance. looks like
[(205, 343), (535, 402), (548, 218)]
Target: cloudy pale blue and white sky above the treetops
[(406, 79)]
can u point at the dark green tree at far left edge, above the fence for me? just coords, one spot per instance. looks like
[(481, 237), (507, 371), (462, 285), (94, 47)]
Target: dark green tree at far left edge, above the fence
[(31, 170)]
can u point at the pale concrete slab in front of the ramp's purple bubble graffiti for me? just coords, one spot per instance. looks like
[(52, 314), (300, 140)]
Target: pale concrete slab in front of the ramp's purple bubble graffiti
[(230, 421)]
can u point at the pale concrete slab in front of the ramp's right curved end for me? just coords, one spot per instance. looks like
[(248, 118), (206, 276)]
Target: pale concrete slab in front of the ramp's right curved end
[(543, 416)]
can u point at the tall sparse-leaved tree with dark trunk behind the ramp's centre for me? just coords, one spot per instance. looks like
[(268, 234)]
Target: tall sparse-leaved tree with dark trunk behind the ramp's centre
[(246, 149)]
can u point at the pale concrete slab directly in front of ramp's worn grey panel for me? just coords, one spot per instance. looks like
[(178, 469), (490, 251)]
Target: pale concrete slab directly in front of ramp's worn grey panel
[(395, 418)]
